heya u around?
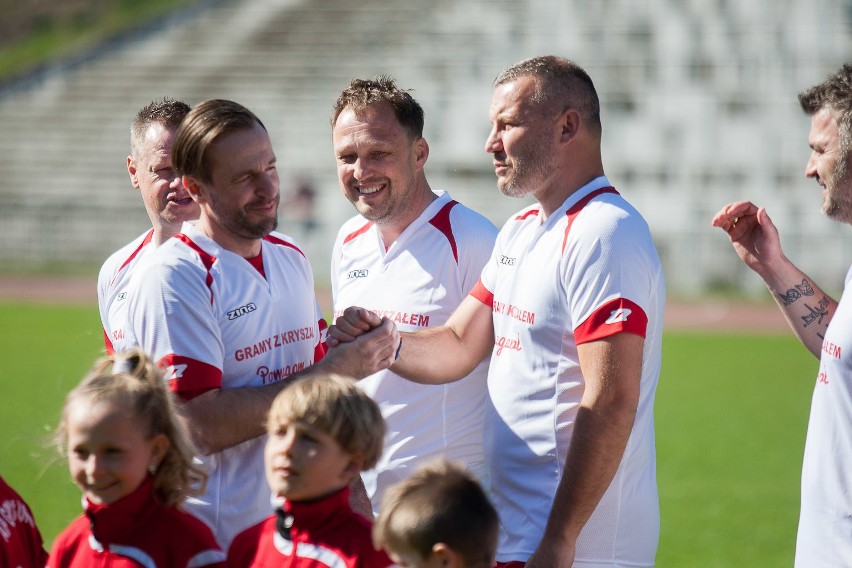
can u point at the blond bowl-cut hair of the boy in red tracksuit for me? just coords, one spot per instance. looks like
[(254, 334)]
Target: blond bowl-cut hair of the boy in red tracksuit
[(336, 406)]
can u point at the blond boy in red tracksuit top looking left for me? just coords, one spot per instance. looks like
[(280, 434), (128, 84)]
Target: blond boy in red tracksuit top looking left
[(323, 432)]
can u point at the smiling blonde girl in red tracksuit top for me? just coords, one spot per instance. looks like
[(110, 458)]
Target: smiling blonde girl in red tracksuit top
[(130, 455)]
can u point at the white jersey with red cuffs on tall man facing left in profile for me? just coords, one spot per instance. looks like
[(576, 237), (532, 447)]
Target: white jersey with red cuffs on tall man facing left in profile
[(588, 271)]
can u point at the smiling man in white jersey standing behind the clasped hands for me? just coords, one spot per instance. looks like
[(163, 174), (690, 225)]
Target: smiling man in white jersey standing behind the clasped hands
[(412, 254)]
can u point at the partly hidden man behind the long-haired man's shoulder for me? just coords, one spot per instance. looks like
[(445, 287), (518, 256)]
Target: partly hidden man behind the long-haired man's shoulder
[(166, 201)]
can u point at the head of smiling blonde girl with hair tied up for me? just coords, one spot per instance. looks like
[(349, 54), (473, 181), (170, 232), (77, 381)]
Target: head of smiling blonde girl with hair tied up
[(120, 425)]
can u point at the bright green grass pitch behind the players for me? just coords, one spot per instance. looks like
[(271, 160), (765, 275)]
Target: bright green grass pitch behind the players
[(731, 418)]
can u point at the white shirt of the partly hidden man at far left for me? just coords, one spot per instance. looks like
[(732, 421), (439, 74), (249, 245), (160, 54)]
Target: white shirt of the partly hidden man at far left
[(113, 279)]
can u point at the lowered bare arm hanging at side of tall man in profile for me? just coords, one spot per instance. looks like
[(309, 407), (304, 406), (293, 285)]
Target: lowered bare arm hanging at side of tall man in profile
[(612, 370)]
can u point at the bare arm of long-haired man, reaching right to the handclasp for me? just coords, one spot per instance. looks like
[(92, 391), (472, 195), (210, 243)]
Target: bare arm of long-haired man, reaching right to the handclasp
[(221, 418)]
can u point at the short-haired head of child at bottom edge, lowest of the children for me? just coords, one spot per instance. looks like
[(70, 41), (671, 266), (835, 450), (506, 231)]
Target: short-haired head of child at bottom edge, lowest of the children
[(439, 516)]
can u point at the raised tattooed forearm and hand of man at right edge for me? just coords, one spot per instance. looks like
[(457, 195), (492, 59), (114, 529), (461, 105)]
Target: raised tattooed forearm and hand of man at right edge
[(804, 305)]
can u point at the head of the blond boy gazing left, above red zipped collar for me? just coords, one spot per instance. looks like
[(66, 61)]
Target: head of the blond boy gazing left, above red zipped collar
[(323, 431)]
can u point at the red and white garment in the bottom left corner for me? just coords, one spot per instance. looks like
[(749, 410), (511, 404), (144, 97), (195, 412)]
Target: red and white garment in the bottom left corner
[(21, 545)]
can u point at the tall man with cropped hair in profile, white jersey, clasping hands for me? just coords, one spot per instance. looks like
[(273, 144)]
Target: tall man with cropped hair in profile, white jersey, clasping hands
[(570, 309)]
